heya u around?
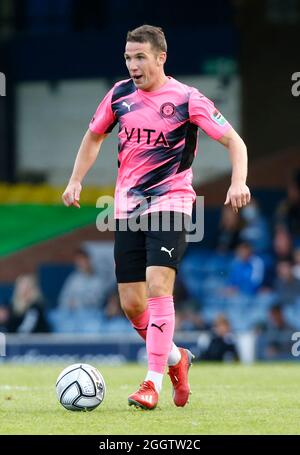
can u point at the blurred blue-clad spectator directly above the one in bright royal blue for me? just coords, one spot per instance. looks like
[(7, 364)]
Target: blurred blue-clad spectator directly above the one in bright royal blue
[(255, 230)]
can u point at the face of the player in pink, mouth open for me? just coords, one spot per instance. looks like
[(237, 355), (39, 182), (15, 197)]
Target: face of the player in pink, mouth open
[(145, 65)]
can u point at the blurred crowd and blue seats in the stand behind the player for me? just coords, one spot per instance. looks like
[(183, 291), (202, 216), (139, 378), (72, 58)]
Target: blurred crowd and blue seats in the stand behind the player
[(246, 281)]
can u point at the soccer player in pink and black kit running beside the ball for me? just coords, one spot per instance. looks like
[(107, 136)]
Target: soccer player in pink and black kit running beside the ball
[(158, 119)]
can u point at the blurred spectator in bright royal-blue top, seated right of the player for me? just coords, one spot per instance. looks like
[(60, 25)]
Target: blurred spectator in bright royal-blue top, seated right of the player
[(246, 273)]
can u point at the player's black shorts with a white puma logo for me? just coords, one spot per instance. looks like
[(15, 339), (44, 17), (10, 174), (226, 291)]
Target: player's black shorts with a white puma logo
[(153, 244)]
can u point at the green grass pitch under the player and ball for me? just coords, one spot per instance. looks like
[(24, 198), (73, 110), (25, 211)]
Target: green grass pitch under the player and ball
[(226, 399)]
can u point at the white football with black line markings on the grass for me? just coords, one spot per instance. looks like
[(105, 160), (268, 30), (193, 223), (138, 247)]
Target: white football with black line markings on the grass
[(80, 387)]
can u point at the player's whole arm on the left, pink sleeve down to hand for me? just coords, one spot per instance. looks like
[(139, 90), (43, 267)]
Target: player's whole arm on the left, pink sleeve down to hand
[(101, 124)]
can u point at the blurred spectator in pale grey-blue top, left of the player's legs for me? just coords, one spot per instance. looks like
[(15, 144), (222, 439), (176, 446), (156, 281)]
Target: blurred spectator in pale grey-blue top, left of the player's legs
[(83, 288)]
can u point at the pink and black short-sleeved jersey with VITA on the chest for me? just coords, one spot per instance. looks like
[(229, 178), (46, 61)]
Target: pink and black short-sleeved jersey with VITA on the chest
[(157, 143)]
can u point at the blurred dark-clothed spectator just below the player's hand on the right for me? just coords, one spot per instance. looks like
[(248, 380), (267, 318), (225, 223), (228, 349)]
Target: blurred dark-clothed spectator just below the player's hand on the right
[(228, 231)]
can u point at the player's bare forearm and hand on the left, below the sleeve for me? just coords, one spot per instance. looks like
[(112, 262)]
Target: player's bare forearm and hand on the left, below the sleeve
[(86, 156)]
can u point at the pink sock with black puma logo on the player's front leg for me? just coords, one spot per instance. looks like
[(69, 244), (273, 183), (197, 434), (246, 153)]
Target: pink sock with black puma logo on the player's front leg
[(160, 332)]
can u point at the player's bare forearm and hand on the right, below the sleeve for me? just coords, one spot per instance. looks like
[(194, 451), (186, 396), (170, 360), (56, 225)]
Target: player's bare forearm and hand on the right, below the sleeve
[(238, 194)]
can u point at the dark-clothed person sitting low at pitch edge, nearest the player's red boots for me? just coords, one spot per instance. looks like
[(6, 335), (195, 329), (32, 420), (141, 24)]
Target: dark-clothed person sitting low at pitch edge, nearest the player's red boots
[(222, 345)]
